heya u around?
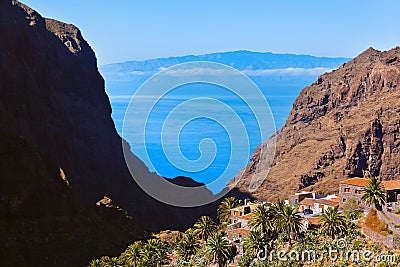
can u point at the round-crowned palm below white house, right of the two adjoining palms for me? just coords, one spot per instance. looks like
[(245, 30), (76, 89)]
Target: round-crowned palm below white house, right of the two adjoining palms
[(332, 222)]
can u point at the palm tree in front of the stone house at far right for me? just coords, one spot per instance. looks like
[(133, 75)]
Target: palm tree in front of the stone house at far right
[(374, 193)]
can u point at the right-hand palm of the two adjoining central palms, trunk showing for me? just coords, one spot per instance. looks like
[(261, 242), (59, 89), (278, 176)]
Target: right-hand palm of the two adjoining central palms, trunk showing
[(288, 221)]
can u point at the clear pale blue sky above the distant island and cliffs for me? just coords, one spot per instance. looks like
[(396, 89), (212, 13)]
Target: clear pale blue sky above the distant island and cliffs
[(135, 30)]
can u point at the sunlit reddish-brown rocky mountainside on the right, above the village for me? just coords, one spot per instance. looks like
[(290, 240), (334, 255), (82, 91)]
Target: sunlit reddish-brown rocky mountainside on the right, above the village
[(346, 124)]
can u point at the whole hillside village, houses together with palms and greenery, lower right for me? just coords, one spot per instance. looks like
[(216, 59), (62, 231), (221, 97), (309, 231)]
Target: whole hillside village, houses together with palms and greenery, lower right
[(364, 216)]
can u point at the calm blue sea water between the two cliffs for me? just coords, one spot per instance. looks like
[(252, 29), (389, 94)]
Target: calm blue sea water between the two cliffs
[(280, 94)]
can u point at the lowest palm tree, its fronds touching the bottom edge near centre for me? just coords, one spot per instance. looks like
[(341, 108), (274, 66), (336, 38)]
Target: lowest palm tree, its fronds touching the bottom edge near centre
[(218, 250)]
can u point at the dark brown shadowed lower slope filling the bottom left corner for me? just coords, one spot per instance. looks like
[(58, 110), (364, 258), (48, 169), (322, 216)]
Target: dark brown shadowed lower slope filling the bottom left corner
[(42, 220)]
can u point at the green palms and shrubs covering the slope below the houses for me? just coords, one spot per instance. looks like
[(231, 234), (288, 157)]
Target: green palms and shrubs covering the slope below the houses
[(274, 228)]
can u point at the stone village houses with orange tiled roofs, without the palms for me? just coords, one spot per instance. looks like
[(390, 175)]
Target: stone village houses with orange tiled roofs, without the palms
[(311, 205)]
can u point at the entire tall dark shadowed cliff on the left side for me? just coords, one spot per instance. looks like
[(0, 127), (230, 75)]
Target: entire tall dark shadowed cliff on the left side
[(61, 153)]
